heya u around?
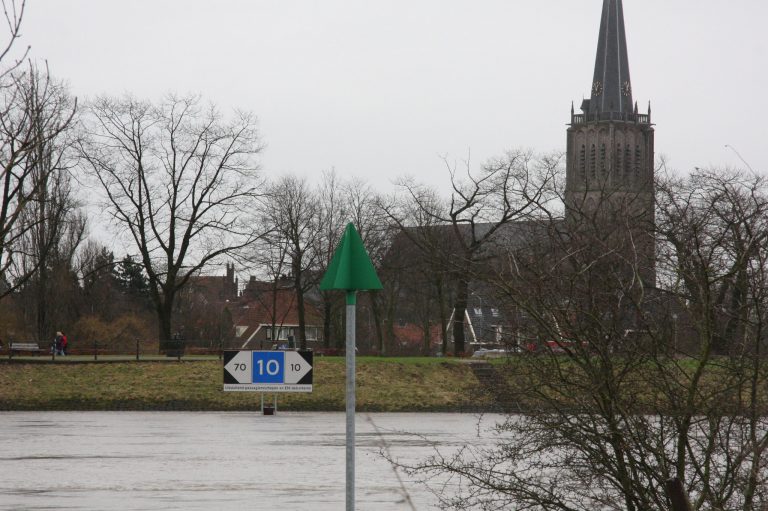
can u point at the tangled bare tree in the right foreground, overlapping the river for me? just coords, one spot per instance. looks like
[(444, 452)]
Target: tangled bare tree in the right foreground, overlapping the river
[(628, 389)]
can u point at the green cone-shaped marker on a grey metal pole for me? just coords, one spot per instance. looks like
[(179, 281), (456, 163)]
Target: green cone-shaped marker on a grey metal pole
[(350, 270)]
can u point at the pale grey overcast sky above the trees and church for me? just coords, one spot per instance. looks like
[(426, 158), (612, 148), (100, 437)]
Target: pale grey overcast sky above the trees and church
[(381, 89)]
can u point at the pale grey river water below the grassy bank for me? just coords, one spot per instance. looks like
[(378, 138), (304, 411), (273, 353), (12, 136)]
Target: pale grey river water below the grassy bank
[(217, 461)]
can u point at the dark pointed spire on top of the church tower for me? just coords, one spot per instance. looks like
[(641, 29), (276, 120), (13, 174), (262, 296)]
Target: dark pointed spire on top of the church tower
[(611, 87)]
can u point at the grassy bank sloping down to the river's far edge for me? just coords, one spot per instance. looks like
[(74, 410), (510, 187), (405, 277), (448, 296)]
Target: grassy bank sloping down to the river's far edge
[(403, 385)]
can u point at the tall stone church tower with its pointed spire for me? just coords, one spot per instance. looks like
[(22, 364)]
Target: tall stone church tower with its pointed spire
[(610, 158)]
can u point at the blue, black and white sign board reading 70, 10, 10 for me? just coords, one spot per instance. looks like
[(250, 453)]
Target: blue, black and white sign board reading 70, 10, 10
[(268, 371)]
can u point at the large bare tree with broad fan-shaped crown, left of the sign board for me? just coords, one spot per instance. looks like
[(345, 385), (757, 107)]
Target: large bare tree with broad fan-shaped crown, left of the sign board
[(179, 180)]
